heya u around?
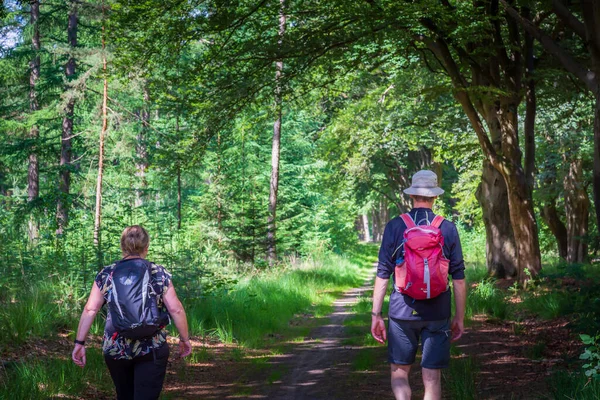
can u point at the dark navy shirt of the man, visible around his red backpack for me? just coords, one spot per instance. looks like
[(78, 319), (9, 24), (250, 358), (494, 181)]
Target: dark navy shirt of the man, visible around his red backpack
[(404, 307)]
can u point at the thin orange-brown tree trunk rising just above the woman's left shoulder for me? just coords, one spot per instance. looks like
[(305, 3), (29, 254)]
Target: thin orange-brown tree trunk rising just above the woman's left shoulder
[(98, 216)]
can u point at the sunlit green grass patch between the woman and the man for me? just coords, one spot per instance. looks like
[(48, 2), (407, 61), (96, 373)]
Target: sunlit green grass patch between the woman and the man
[(265, 303)]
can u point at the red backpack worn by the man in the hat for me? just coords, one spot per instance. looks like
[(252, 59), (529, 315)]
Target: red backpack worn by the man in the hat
[(423, 271)]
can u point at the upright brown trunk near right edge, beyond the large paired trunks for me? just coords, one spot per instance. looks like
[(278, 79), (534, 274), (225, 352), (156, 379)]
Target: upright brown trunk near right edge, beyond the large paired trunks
[(577, 207)]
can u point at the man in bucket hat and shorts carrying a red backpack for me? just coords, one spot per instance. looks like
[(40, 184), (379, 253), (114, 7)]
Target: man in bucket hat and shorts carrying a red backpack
[(420, 250)]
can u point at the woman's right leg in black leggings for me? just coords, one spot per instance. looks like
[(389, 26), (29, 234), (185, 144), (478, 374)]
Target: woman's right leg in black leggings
[(149, 374)]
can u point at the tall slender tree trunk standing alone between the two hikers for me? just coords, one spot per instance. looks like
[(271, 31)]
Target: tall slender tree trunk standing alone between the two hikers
[(275, 152)]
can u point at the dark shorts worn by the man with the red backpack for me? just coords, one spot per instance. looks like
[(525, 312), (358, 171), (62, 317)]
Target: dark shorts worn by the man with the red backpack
[(403, 342)]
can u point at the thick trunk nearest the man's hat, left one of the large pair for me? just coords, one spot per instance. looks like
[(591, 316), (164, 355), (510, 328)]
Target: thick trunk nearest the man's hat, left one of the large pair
[(500, 248)]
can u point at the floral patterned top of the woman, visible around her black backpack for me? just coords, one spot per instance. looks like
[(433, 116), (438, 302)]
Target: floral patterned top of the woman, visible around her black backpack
[(113, 344)]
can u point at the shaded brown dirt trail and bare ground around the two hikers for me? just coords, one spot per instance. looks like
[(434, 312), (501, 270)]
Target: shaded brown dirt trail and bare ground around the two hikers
[(336, 359)]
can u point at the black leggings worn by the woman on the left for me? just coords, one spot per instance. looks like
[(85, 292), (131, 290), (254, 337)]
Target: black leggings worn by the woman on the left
[(140, 378)]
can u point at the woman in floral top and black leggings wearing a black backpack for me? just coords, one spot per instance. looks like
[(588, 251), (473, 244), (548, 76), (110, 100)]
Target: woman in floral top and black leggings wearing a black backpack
[(139, 294)]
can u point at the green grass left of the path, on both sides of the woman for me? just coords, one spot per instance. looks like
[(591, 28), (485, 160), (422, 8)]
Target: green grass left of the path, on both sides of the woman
[(259, 305)]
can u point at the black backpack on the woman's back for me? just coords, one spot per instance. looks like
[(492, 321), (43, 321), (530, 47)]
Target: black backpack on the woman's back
[(132, 301)]
